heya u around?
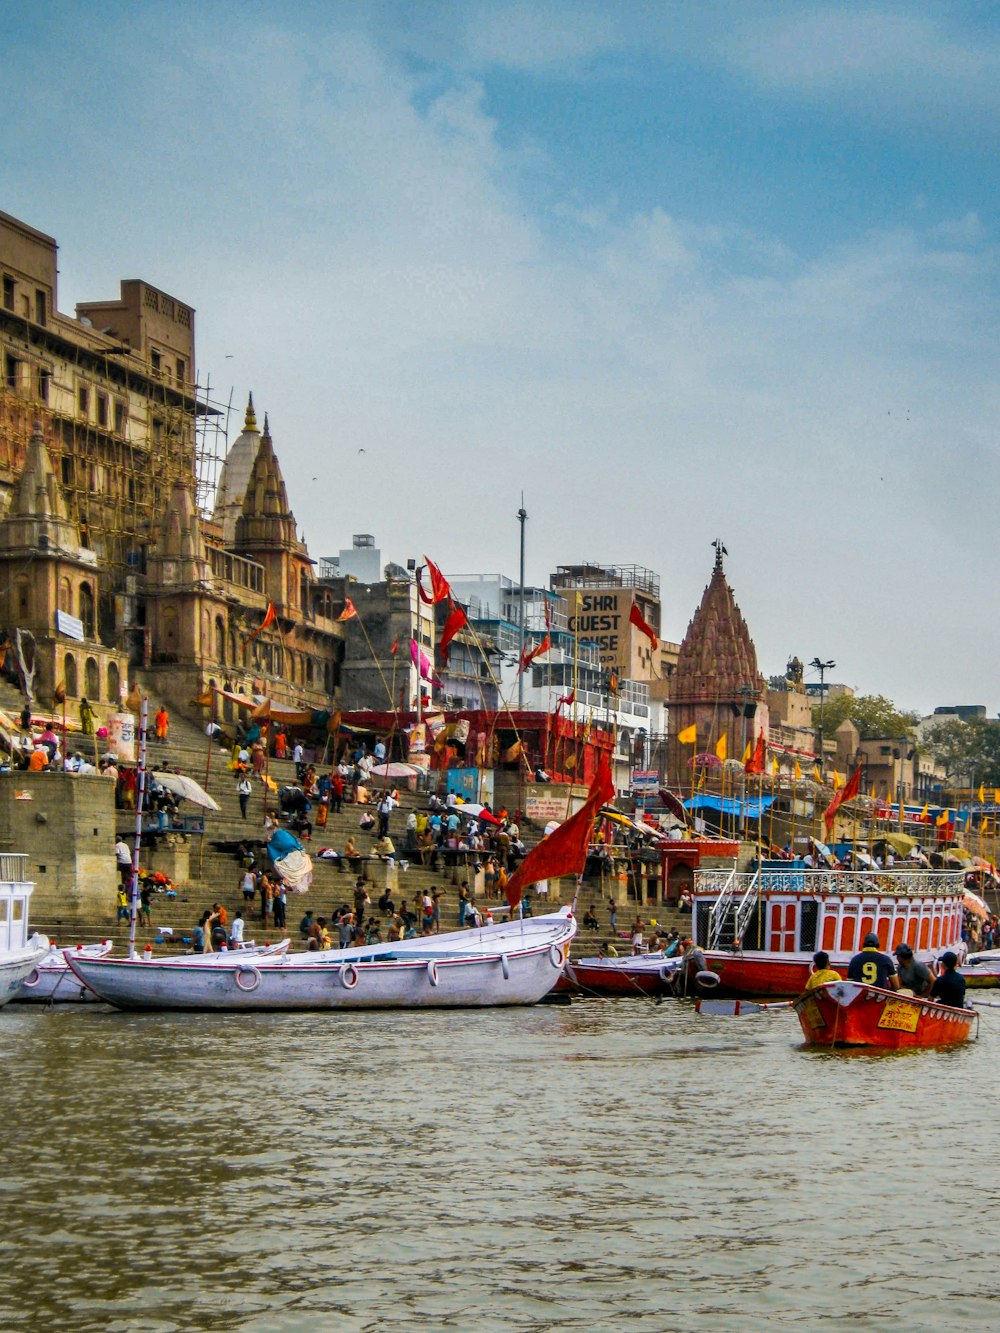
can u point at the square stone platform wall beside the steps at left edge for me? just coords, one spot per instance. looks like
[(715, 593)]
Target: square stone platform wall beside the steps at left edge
[(66, 826)]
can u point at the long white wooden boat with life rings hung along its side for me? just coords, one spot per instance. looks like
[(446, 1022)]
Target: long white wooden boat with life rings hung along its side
[(517, 963)]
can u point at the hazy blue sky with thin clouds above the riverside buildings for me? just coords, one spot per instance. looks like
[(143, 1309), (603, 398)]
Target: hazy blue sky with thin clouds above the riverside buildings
[(675, 271)]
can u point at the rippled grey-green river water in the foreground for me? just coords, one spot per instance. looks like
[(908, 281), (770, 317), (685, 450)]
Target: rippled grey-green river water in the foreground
[(607, 1166)]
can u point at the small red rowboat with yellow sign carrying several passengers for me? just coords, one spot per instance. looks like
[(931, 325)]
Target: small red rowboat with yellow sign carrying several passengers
[(849, 1014)]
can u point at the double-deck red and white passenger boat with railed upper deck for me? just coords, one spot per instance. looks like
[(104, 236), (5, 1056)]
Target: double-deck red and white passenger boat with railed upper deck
[(761, 930)]
